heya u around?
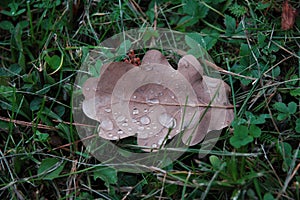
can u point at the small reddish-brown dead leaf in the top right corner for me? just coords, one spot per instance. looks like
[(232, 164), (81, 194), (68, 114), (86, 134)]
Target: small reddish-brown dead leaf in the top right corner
[(288, 16)]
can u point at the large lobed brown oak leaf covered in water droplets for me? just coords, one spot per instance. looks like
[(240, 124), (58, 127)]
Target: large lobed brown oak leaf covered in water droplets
[(156, 102)]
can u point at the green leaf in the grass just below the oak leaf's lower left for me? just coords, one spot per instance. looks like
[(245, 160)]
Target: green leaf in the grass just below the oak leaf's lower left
[(107, 174)]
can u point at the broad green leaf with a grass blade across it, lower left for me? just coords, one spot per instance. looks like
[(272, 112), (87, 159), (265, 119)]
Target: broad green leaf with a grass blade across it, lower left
[(50, 168)]
